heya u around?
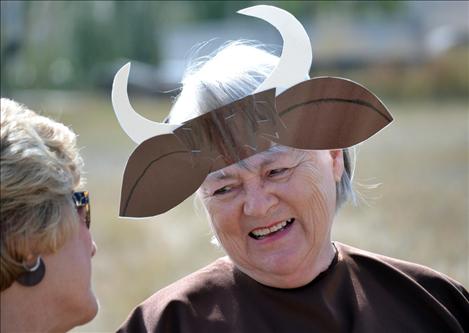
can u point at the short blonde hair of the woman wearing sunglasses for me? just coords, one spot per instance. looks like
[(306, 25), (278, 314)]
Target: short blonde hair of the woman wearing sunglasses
[(40, 168)]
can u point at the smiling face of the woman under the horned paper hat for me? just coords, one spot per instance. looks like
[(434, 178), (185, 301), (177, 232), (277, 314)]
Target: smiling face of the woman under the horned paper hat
[(273, 213)]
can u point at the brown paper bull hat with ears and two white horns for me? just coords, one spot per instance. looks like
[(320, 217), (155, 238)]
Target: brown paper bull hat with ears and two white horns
[(171, 161)]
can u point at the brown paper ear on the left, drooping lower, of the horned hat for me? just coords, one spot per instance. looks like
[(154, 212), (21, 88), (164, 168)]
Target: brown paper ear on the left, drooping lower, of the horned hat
[(160, 174)]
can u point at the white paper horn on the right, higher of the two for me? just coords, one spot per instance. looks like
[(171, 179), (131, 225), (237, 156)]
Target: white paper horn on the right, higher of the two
[(295, 62)]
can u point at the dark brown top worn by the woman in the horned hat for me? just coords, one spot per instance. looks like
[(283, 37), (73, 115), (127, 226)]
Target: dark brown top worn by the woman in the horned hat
[(359, 292)]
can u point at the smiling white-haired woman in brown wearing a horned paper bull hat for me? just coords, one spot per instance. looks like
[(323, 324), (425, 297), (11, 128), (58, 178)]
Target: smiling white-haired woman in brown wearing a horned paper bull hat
[(271, 168)]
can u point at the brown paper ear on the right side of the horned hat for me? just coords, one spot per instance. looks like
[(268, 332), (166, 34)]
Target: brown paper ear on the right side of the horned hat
[(329, 113)]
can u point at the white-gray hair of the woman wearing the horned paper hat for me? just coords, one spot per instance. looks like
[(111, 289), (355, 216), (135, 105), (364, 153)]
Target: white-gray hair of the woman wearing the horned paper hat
[(231, 73)]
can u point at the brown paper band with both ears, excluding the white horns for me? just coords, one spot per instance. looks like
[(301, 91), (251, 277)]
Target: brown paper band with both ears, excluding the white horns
[(321, 113)]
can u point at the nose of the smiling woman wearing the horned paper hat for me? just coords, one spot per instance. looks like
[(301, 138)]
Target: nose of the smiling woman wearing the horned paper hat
[(258, 201)]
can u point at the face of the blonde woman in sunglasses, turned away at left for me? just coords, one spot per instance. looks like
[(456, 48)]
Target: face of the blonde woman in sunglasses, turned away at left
[(68, 277)]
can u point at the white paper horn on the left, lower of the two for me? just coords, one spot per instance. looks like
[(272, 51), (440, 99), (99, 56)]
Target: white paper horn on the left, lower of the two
[(137, 127)]
